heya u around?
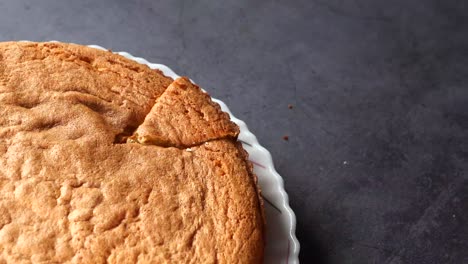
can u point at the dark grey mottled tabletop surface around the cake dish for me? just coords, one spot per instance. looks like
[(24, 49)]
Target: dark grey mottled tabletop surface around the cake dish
[(377, 159)]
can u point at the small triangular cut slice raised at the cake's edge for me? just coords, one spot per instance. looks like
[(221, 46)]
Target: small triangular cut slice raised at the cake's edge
[(184, 116)]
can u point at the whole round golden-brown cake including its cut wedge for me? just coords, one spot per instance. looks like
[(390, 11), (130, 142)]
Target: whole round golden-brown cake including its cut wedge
[(104, 160)]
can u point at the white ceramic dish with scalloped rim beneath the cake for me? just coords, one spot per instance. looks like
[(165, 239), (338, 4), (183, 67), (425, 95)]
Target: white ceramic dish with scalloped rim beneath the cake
[(282, 246)]
